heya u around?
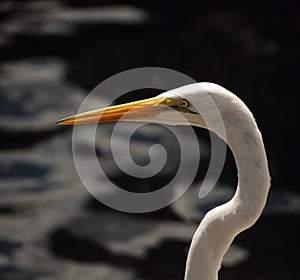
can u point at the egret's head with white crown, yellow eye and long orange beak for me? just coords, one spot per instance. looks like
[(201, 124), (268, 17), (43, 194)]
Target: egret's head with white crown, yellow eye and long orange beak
[(192, 104)]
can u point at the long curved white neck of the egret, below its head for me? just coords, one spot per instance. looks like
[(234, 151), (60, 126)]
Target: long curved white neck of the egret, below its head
[(219, 227)]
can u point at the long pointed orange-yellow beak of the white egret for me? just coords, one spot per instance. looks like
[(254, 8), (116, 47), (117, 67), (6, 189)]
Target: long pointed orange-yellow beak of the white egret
[(137, 110)]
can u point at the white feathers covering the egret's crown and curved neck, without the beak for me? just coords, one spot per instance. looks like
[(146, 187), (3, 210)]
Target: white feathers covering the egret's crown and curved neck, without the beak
[(220, 226)]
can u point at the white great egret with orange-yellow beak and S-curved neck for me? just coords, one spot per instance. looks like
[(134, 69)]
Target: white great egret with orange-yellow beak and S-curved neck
[(220, 225)]
